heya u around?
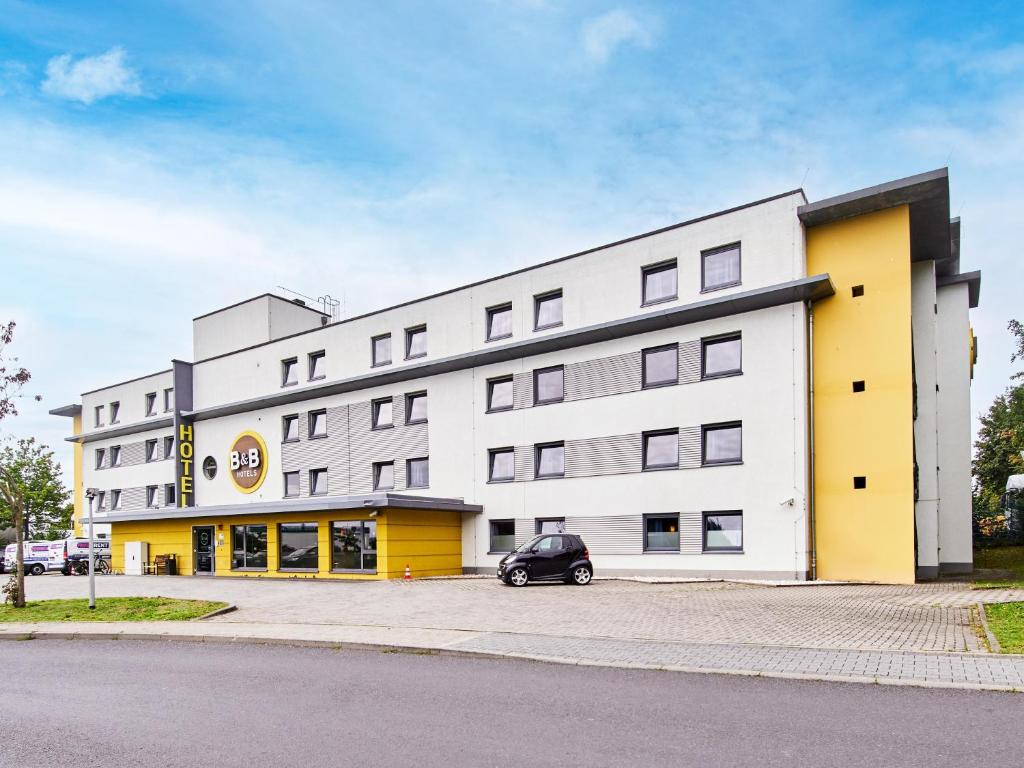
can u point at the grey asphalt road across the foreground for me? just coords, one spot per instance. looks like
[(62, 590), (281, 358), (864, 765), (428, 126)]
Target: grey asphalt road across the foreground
[(69, 703)]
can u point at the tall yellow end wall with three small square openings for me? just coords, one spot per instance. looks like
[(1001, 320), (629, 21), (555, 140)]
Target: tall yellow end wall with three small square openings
[(865, 535)]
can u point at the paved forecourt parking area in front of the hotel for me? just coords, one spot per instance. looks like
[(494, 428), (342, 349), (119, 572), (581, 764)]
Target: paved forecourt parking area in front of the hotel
[(929, 618)]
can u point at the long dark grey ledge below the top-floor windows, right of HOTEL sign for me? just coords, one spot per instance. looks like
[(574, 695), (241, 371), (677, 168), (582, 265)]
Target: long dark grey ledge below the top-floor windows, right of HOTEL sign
[(805, 289)]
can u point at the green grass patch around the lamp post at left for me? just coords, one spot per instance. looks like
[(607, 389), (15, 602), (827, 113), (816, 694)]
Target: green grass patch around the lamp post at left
[(111, 610)]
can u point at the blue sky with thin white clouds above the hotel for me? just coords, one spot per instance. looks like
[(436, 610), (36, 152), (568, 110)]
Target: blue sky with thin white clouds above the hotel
[(158, 161)]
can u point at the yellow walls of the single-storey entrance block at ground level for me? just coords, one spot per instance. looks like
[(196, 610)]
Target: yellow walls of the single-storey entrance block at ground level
[(430, 542)]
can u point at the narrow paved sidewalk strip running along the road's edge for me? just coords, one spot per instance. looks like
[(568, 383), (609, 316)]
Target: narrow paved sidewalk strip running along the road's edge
[(884, 667)]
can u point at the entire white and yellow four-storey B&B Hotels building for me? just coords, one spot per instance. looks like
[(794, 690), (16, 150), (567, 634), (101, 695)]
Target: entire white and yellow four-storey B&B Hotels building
[(777, 391)]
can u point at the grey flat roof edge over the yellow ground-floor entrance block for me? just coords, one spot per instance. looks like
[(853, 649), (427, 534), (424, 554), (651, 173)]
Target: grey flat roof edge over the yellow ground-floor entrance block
[(373, 501)]
